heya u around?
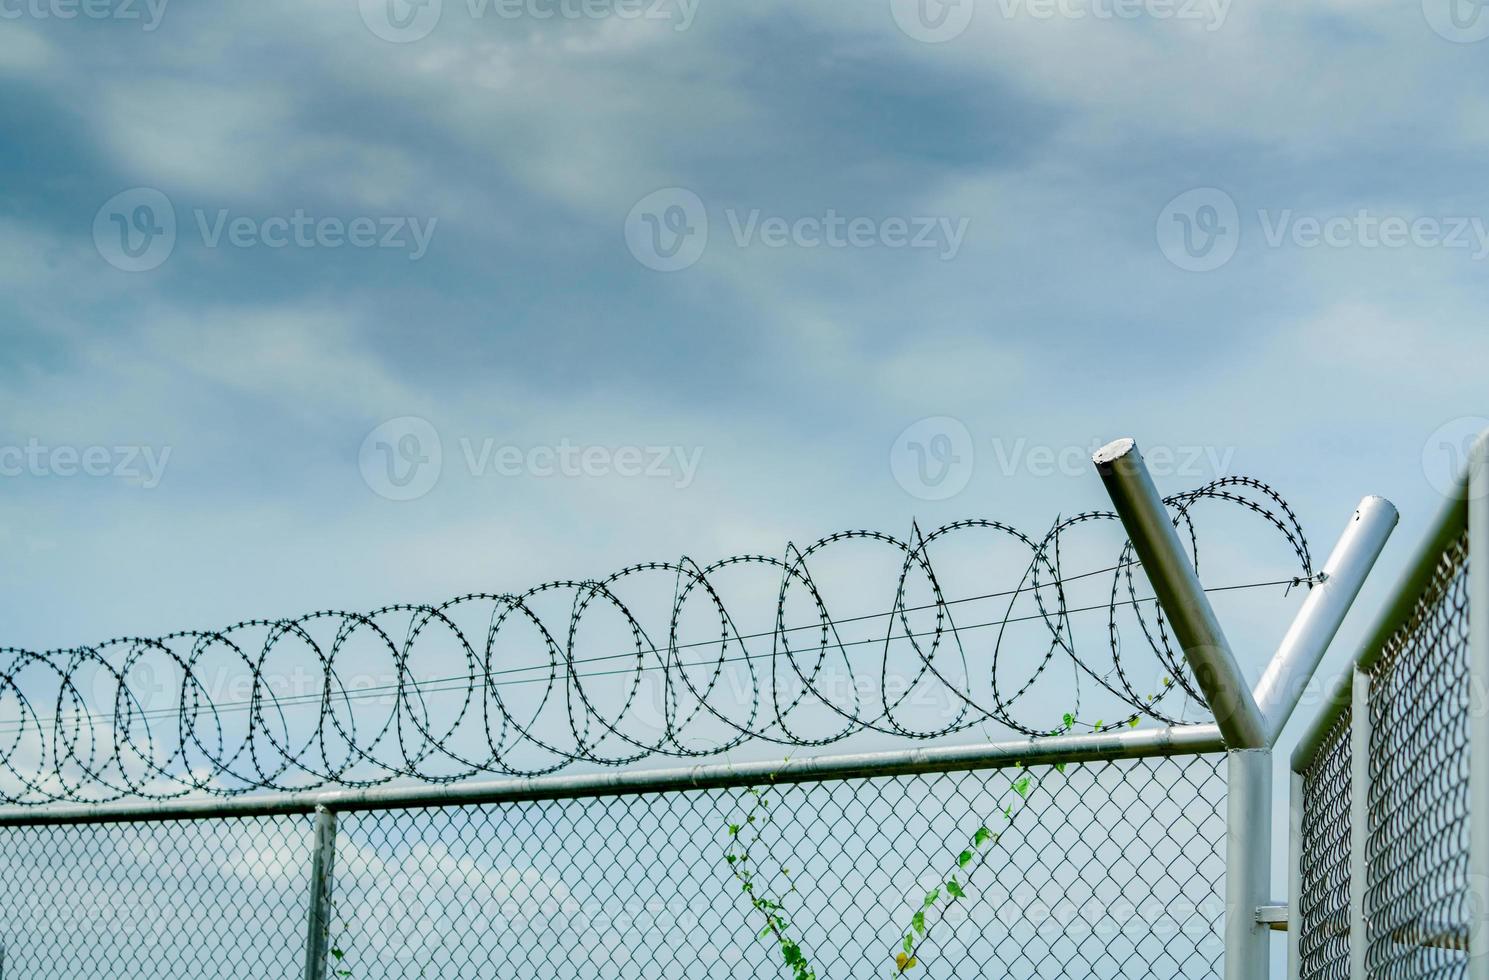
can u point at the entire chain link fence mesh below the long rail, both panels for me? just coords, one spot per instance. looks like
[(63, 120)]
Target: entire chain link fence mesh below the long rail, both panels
[(1112, 869)]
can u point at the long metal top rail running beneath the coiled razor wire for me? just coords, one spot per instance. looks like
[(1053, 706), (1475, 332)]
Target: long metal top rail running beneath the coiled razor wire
[(1086, 748)]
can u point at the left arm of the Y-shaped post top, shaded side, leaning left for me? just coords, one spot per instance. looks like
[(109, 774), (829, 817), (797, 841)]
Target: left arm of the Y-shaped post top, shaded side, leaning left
[(1180, 594)]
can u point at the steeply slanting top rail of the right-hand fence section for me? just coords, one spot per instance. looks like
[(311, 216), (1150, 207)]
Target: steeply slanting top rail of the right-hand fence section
[(1447, 528)]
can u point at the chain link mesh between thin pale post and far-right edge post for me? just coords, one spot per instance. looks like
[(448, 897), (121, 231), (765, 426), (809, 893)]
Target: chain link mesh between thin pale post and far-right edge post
[(1417, 891)]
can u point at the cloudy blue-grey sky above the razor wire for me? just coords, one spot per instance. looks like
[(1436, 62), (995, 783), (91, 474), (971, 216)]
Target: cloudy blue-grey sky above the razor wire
[(334, 306)]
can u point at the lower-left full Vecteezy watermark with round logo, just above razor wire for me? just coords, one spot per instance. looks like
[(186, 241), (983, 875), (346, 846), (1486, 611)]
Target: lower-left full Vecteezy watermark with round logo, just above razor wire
[(404, 459)]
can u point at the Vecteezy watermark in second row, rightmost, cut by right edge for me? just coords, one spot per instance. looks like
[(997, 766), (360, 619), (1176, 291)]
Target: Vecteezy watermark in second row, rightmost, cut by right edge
[(1201, 230)]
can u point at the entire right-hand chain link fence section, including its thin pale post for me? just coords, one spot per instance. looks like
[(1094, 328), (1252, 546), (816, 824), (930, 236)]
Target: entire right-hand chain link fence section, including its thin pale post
[(1414, 900)]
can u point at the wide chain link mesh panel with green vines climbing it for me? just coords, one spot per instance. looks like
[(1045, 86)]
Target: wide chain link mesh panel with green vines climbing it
[(1112, 871)]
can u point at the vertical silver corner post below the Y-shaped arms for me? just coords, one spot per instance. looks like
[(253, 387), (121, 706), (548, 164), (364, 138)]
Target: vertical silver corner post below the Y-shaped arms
[(1249, 863)]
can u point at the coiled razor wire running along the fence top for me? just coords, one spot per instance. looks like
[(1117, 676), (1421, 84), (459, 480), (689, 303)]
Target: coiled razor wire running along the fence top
[(738, 687)]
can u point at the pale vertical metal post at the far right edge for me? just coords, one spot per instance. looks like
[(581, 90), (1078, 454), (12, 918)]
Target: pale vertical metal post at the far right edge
[(1479, 711)]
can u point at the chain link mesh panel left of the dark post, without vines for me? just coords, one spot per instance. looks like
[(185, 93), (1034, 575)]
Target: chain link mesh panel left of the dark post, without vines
[(156, 902)]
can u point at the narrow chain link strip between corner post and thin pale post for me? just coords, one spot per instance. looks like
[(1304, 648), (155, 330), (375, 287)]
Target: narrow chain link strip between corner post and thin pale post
[(1324, 872)]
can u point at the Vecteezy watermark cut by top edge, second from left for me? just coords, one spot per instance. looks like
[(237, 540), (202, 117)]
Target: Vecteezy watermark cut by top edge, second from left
[(403, 22)]
